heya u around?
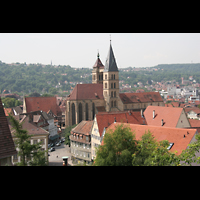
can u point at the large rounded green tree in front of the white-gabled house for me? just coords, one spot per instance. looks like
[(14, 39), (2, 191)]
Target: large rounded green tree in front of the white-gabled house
[(117, 149)]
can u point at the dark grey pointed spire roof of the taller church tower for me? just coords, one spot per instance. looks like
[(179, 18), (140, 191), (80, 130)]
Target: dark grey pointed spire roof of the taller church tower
[(110, 65)]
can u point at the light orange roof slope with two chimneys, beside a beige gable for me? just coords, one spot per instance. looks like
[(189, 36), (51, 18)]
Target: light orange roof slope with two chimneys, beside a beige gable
[(170, 115)]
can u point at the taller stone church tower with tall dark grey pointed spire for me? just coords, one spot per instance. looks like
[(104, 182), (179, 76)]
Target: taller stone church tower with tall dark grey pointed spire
[(111, 82)]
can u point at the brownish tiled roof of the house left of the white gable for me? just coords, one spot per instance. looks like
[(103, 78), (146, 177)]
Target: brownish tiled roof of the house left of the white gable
[(84, 127)]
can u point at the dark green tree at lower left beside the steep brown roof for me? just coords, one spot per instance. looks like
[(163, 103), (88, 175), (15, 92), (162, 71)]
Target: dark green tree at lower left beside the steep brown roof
[(26, 149)]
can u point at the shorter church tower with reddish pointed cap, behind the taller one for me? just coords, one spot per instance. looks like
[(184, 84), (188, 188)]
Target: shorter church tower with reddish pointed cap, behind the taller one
[(97, 72)]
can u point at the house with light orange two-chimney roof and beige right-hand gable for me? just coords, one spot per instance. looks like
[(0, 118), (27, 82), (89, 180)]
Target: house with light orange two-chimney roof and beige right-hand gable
[(166, 117)]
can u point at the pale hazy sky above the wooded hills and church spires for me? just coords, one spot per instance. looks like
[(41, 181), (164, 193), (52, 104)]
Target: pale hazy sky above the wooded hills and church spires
[(80, 49)]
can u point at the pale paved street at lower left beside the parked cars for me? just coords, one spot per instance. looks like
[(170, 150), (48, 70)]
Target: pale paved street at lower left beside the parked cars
[(60, 151)]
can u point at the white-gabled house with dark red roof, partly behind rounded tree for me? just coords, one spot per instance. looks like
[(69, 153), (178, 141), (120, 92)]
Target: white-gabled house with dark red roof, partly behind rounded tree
[(103, 120)]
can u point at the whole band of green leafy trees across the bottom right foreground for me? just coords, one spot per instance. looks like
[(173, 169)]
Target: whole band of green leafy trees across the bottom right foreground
[(121, 148)]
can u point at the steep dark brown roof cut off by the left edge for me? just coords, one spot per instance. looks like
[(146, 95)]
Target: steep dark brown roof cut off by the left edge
[(7, 147)]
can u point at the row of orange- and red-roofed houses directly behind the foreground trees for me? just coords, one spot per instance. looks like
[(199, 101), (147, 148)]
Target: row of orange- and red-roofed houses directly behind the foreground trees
[(166, 123)]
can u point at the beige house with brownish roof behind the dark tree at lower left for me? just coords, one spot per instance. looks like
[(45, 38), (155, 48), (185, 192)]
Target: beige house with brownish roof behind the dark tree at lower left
[(39, 135)]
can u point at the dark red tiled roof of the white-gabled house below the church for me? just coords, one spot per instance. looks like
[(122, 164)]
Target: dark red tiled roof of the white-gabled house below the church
[(105, 119)]
